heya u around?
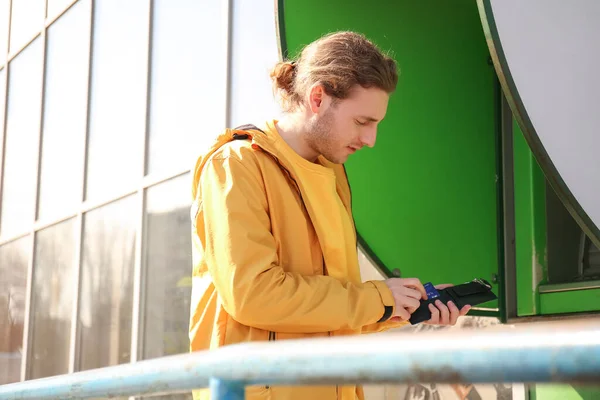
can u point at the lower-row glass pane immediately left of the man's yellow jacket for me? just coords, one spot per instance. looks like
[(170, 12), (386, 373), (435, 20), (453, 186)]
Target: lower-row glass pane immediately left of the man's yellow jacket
[(168, 268)]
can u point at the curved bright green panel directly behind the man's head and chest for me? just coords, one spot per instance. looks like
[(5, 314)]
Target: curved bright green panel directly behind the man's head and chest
[(425, 197)]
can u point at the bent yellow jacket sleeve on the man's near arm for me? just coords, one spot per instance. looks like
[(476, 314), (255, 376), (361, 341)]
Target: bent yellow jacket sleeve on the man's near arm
[(240, 253)]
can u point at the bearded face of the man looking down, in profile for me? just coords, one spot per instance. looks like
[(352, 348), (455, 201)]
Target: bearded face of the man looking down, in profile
[(343, 127)]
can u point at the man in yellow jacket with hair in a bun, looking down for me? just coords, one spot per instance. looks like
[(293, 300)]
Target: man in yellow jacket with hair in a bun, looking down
[(275, 254)]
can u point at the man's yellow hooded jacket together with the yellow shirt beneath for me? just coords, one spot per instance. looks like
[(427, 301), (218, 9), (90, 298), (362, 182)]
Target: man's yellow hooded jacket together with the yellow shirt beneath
[(274, 253)]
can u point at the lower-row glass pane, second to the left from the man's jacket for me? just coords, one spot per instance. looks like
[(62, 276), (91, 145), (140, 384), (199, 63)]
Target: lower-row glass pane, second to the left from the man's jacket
[(106, 288)]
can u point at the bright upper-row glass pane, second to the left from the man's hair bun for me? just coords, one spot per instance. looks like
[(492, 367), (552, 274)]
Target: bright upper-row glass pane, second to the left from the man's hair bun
[(187, 92)]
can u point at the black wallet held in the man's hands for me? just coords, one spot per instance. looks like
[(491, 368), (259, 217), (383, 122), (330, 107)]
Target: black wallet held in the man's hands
[(469, 293)]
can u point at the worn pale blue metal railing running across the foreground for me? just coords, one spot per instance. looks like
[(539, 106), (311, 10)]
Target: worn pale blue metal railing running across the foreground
[(542, 353)]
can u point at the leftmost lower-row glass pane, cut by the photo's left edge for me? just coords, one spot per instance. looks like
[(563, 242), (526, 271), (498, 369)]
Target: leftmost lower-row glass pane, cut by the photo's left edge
[(14, 258)]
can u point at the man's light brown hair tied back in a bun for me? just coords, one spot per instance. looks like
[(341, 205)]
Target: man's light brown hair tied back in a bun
[(338, 61)]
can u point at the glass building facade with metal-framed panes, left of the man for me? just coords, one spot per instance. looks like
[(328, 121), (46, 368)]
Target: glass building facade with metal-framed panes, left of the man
[(104, 107)]
